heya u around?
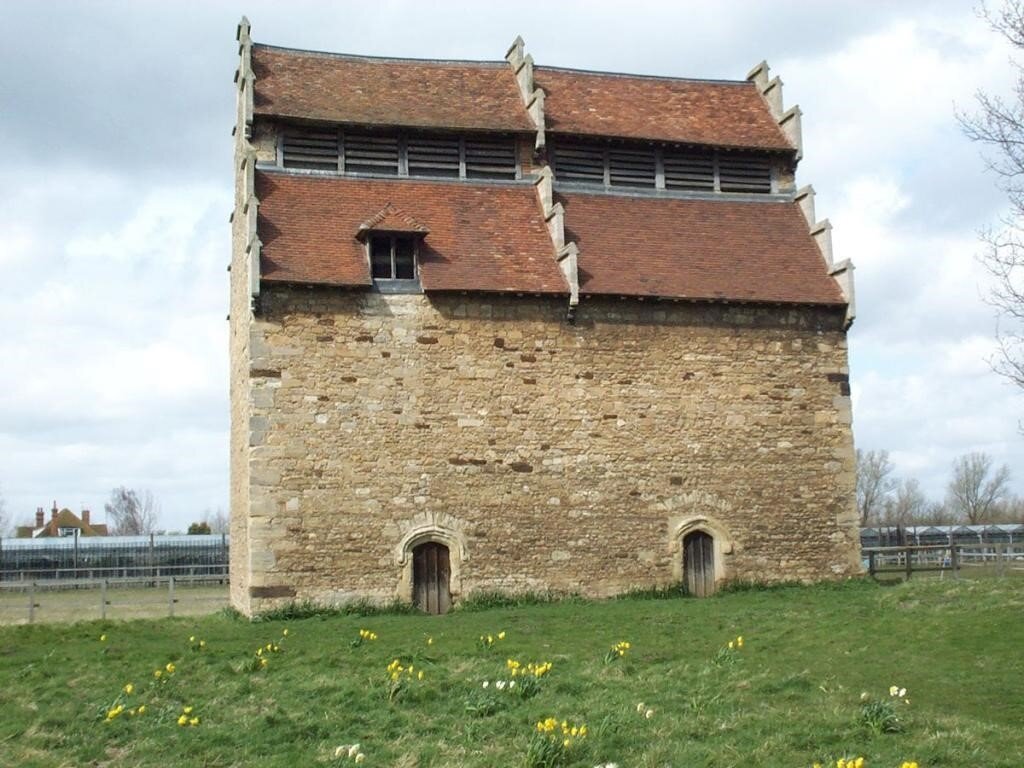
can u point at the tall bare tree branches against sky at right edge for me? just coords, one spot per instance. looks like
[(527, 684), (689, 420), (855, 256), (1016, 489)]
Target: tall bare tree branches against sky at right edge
[(999, 126)]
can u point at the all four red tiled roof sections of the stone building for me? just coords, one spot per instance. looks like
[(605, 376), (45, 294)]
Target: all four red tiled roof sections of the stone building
[(493, 237)]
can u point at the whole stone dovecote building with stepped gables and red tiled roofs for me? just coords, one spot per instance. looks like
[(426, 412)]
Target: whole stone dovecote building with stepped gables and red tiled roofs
[(497, 326)]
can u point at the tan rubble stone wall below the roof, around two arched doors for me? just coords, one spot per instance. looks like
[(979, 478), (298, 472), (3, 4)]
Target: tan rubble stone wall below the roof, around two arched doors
[(546, 455)]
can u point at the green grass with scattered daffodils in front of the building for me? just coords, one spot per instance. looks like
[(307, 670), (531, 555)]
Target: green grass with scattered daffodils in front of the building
[(790, 698)]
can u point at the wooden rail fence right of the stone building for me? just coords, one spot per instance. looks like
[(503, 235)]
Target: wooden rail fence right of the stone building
[(999, 560)]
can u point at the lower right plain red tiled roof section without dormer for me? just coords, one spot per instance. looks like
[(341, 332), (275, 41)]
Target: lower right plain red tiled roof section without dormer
[(697, 249)]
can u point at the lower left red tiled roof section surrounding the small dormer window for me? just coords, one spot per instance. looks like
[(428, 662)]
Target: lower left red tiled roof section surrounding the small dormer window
[(483, 237)]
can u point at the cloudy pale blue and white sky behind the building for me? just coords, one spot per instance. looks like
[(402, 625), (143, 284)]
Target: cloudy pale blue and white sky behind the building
[(116, 188)]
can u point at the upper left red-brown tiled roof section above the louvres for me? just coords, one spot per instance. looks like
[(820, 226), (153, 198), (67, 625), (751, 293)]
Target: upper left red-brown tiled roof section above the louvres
[(482, 97)]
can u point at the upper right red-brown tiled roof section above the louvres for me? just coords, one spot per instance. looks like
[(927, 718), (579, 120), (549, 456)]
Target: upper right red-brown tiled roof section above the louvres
[(696, 112)]
